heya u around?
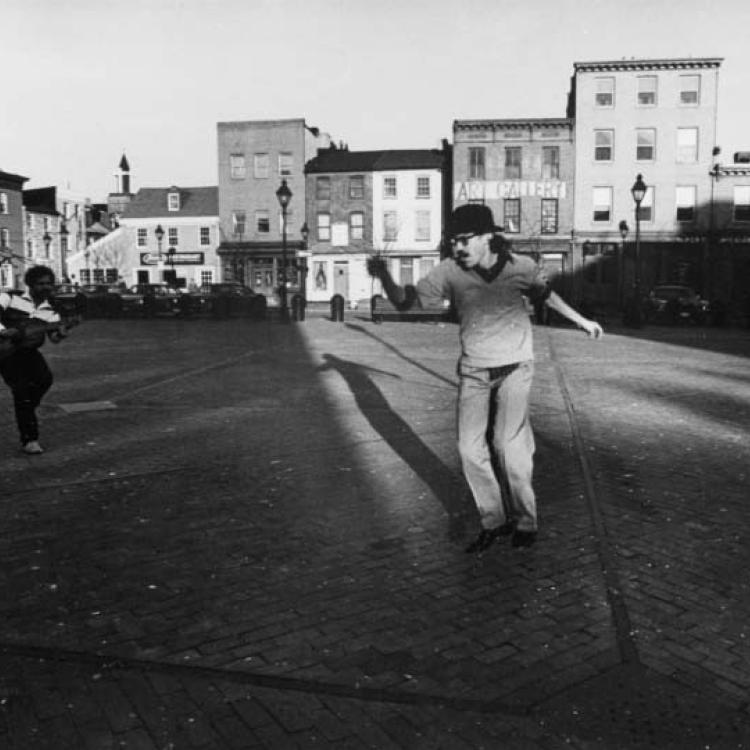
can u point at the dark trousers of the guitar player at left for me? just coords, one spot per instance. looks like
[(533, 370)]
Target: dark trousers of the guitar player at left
[(29, 378)]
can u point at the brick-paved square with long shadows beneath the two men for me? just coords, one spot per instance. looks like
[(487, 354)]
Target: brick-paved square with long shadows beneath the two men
[(251, 535)]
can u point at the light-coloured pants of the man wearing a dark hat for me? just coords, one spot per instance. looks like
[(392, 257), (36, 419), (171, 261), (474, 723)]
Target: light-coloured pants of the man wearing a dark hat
[(512, 439)]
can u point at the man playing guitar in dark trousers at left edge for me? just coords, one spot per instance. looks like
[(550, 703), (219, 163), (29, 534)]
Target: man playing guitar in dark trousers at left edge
[(24, 370)]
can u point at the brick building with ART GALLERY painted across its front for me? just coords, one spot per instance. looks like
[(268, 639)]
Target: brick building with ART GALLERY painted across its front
[(523, 169)]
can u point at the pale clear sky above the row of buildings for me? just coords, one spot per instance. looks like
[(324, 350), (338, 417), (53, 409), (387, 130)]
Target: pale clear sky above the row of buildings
[(85, 80)]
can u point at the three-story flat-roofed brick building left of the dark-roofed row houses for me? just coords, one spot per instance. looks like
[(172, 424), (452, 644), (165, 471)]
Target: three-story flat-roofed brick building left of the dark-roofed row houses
[(254, 158)]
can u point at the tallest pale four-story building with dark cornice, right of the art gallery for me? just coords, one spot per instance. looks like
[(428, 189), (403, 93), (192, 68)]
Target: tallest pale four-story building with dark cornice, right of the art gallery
[(656, 118)]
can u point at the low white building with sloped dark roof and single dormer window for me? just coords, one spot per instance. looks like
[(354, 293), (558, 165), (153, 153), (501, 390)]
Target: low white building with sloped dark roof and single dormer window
[(164, 235)]
